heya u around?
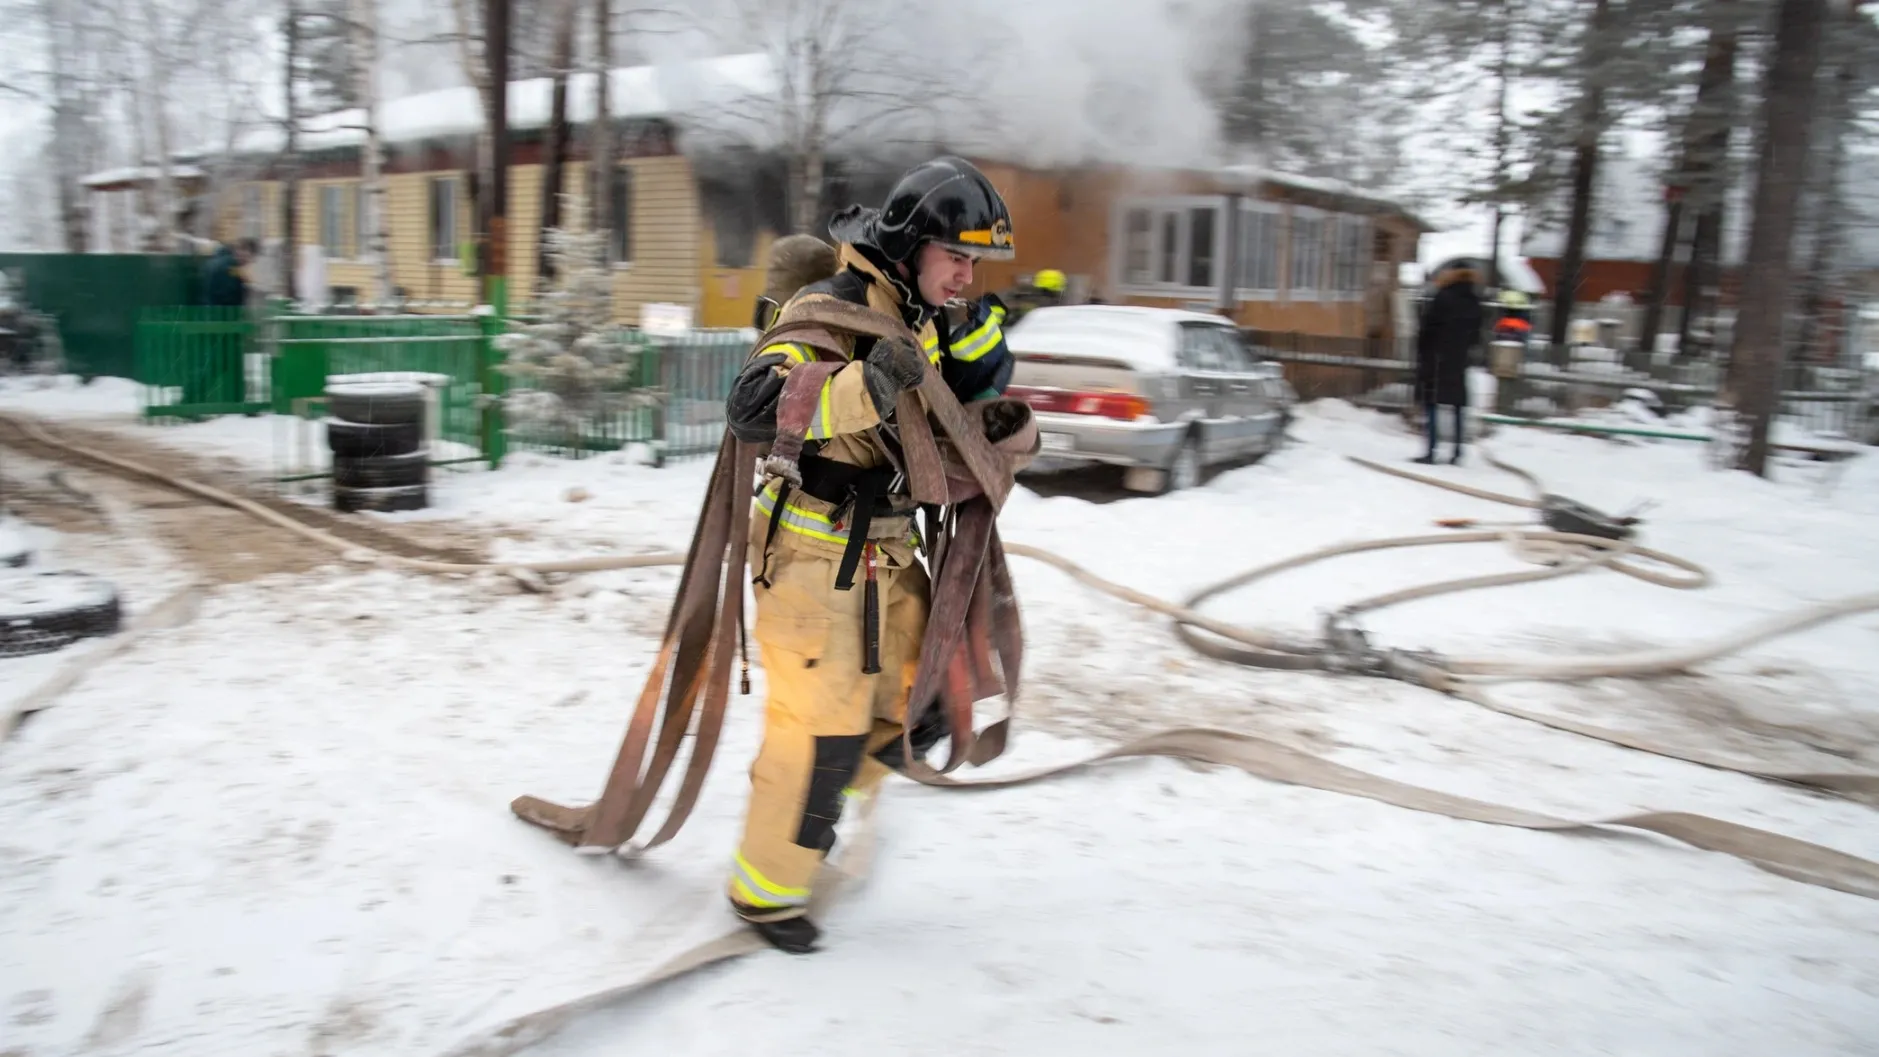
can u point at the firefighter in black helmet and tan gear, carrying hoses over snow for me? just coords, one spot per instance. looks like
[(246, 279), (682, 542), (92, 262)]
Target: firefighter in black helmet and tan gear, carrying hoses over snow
[(833, 729)]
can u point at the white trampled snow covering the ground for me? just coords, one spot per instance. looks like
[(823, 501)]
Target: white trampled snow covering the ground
[(283, 829)]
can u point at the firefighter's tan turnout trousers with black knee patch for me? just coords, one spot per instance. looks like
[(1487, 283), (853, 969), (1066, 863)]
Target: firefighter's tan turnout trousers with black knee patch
[(824, 718)]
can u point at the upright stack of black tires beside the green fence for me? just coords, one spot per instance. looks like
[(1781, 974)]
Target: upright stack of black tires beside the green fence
[(377, 433)]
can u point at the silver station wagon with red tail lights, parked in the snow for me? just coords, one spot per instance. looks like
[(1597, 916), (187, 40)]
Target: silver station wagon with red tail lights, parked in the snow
[(1158, 391)]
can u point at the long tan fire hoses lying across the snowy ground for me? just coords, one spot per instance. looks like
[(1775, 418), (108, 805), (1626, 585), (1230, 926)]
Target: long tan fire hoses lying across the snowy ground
[(1341, 649)]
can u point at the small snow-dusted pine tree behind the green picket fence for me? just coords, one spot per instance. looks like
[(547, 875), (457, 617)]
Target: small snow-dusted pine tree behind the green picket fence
[(574, 367)]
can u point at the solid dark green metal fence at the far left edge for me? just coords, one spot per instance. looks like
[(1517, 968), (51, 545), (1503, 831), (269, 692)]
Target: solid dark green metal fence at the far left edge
[(101, 298)]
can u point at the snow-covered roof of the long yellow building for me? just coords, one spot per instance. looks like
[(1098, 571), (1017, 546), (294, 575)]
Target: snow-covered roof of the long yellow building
[(632, 91)]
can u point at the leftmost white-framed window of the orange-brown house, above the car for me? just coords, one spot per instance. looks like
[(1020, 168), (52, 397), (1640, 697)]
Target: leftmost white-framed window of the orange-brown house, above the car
[(1170, 245)]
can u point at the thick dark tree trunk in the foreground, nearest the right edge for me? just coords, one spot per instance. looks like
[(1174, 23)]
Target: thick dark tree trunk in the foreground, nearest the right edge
[(1786, 134)]
